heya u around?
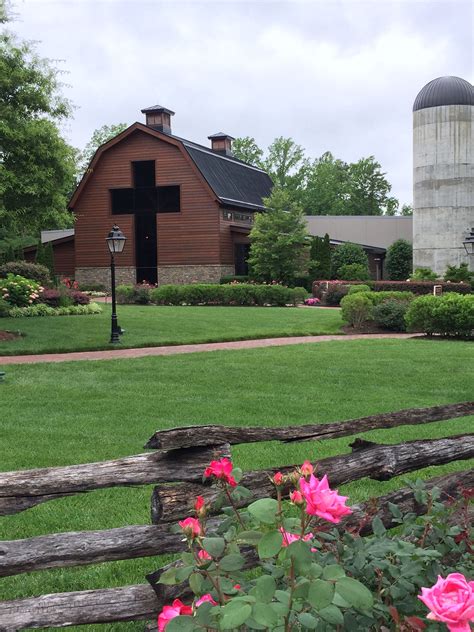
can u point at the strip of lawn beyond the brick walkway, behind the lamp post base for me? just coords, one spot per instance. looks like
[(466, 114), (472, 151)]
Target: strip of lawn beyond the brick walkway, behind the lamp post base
[(154, 326)]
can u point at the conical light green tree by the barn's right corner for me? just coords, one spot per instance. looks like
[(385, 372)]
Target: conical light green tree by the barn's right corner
[(279, 240)]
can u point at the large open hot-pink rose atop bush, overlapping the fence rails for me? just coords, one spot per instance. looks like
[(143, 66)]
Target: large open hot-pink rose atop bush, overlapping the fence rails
[(322, 501)]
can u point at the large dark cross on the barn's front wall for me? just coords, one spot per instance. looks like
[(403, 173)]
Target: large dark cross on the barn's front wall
[(144, 200)]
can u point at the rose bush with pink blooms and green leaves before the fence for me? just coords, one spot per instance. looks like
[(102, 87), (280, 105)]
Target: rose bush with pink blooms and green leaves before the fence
[(313, 576)]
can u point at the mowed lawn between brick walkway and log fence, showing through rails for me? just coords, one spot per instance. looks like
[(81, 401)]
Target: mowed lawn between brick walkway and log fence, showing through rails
[(59, 414)]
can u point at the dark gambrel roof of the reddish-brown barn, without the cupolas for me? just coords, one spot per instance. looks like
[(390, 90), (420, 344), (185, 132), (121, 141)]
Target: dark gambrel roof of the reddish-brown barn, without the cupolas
[(233, 182)]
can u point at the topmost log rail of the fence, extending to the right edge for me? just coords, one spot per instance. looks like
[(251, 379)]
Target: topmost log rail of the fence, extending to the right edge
[(191, 436)]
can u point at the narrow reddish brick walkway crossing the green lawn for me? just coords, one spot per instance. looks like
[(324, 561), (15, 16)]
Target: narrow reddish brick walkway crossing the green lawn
[(178, 349)]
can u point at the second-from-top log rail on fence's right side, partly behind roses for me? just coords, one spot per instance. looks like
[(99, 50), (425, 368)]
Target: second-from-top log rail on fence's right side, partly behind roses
[(379, 462)]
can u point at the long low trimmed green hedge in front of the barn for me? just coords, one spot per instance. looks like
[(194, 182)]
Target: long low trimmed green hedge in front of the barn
[(212, 294)]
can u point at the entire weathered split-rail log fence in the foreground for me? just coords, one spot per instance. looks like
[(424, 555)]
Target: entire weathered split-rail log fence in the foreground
[(177, 469)]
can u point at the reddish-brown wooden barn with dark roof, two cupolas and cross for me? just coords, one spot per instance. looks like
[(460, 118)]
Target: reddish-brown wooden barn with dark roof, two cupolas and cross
[(185, 209)]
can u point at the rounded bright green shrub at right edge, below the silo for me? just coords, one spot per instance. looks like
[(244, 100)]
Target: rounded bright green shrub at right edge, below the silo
[(448, 315)]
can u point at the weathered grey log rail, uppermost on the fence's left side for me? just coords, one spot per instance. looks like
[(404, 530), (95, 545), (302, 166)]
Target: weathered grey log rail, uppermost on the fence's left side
[(25, 488)]
